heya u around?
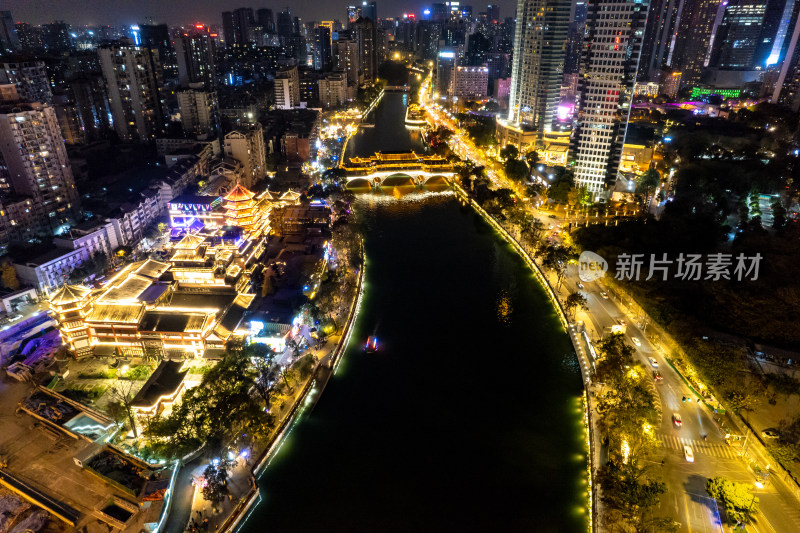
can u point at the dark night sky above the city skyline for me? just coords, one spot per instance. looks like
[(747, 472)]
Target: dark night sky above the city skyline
[(177, 12)]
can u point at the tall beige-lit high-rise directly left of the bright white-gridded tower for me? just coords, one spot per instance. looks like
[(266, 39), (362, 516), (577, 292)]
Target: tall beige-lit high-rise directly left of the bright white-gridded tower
[(538, 62)]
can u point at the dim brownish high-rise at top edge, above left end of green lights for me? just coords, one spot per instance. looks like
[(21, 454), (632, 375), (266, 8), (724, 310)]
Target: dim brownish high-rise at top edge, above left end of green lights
[(693, 34)]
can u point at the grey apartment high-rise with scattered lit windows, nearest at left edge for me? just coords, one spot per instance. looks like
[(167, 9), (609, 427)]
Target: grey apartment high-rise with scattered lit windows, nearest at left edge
[(37, 163)]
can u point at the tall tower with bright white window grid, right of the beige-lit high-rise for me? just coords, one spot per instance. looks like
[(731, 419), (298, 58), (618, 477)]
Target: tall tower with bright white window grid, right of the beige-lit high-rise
[(608, 74)]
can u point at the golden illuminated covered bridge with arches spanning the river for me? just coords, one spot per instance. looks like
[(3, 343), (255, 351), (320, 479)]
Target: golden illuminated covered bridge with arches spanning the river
[(396, 168)]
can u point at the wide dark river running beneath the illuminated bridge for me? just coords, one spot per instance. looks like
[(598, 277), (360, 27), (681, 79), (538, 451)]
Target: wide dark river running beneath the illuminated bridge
[(468, 418)]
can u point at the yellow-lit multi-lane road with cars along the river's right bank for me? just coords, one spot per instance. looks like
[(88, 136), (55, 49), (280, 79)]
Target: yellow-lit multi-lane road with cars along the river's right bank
[(686, 499)]
